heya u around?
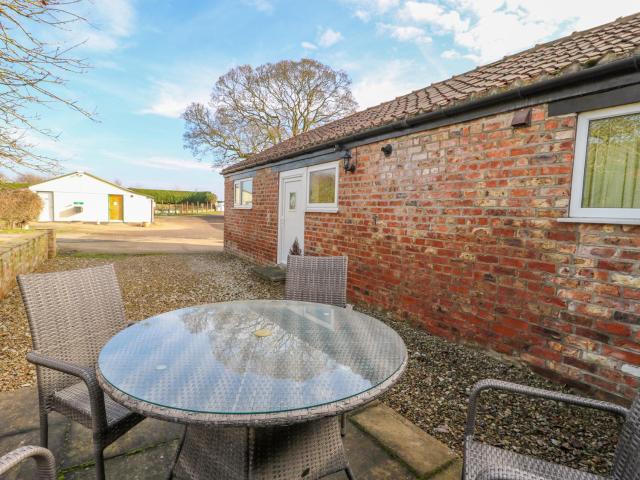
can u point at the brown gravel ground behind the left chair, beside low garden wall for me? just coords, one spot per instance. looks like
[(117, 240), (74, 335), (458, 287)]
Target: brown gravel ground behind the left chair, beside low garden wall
[(150, 284)]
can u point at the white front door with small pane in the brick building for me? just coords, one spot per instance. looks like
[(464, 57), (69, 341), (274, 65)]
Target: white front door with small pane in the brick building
[(292, 201)]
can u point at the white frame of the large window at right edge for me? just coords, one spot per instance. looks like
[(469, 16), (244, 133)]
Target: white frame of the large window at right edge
[(579, 163)]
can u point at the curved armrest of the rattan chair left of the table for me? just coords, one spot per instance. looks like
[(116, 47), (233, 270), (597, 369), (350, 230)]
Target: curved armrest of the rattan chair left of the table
[(87, 375)]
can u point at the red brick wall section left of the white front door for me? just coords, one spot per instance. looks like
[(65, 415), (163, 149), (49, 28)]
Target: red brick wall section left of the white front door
[(253, 233)]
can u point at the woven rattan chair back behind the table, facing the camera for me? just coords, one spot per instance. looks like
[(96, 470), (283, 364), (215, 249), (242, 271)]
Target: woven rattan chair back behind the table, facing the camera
[(317, 279)]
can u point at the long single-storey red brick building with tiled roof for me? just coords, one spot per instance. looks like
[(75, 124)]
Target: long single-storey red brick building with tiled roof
[(500, 207)]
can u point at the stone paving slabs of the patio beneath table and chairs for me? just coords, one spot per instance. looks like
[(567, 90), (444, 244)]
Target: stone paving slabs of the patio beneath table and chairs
[(380, 444)]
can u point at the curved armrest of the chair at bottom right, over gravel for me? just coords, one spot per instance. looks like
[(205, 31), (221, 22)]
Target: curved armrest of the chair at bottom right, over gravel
[(533, 392)]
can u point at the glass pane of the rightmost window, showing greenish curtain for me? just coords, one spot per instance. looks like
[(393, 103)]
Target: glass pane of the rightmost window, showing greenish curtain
[(612, 166)]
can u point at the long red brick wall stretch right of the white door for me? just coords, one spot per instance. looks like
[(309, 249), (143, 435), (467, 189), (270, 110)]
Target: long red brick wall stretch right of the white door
[(456, 230)]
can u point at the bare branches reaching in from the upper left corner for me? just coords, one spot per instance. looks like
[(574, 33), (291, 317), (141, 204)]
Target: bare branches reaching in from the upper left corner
[(31, 72)]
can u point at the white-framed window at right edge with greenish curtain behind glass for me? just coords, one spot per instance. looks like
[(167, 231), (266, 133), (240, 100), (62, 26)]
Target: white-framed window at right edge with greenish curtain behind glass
[(606, 176)]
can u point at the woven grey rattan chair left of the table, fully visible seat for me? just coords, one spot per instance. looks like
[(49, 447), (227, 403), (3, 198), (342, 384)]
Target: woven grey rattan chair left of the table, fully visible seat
[(71, 316)]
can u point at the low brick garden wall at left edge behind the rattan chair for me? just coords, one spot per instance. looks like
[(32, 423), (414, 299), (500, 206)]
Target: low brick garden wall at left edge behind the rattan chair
[(22, 254)]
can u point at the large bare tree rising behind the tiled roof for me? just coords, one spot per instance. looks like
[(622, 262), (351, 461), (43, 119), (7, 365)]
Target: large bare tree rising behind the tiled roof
[(252, 109)]
